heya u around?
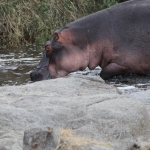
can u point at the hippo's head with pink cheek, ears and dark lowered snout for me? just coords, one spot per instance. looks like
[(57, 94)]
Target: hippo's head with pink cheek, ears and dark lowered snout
[(65, 53)]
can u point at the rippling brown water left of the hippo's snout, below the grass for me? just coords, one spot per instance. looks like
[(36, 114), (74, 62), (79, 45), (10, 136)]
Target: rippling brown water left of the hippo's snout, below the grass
[(16, 64)]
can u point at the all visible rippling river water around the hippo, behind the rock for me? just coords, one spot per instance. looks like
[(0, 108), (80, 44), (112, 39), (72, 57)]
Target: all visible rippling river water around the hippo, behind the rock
[(17, 63)]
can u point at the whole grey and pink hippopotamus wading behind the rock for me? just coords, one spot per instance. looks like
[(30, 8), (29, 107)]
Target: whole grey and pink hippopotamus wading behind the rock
[(117, 39)]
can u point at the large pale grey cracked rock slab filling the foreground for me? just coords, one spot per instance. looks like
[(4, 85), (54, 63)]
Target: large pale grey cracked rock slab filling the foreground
[(85, 104)]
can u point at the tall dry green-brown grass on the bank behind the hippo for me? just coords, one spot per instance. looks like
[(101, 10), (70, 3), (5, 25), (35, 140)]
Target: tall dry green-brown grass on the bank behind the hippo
[(34, 21)]
